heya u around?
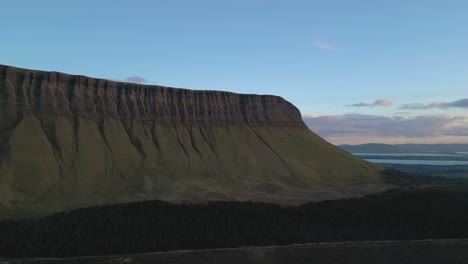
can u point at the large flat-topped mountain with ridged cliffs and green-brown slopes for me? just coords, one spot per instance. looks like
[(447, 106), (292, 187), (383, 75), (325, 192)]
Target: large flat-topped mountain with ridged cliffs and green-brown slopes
[(70, 141)]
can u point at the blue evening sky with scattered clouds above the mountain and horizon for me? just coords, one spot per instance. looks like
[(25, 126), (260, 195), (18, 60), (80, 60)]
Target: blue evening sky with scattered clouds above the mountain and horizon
[(359, 71)]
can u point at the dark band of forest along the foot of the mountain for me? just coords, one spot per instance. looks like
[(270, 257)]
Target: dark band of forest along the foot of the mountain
[(159, 226)]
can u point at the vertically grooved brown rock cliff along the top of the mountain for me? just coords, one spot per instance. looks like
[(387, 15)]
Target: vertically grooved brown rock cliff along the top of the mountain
[(53, 93)]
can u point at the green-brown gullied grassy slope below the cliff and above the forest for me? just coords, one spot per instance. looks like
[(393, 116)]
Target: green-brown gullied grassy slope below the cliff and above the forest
[(68, 163)]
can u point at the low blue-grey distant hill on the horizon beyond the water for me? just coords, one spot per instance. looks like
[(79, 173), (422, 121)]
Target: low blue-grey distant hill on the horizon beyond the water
[(405, 148)]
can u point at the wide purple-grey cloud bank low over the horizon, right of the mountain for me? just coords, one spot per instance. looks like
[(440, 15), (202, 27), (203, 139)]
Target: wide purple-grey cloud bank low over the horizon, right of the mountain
[(362, 128)]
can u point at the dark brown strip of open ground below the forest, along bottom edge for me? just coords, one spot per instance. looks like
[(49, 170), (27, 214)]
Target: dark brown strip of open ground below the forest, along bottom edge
[(391, 252)]
